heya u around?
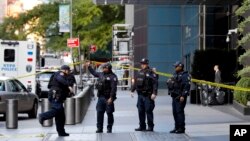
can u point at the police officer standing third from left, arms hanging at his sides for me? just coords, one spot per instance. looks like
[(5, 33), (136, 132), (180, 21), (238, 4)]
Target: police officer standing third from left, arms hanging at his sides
[(146, 86)]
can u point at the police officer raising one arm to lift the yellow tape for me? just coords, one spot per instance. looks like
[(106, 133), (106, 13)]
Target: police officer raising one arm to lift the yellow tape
[(107, 87)]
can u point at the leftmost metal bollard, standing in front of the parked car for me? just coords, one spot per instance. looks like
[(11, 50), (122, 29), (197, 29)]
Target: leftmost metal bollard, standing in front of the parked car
[(11, 113)]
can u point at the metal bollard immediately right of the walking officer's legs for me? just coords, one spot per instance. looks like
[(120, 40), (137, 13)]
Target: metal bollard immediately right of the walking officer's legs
[(70, 111)]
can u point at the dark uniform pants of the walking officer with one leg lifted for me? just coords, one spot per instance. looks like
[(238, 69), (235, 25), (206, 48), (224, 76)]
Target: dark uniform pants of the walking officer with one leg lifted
[(57, 111)]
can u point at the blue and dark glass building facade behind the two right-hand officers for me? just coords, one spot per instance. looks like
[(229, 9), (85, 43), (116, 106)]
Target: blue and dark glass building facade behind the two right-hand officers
[(169, 33)]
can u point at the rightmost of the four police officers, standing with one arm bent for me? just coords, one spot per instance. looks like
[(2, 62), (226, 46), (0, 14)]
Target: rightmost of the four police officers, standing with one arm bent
[(178, 87)]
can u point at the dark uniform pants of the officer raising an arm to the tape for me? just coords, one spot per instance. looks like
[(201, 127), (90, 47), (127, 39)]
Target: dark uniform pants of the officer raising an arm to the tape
[(101, 107)]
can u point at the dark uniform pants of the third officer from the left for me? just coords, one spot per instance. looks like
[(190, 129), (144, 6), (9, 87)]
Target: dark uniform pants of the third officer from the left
[(145, 107)]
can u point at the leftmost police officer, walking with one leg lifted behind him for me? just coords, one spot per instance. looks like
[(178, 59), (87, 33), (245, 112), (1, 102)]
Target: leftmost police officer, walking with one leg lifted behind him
[(59, 90)]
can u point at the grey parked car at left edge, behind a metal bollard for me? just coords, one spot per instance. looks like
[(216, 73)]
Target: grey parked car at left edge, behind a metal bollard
[(11, 88)]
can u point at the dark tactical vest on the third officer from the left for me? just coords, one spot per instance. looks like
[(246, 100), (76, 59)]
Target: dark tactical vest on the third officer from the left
[(143, 82)]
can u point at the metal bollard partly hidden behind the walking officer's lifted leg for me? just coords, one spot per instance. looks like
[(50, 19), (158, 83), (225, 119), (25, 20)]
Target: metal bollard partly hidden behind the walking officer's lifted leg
[(46, 107)]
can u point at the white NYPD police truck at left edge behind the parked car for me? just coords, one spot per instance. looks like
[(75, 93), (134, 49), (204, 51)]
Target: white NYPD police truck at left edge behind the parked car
[(18, 60)]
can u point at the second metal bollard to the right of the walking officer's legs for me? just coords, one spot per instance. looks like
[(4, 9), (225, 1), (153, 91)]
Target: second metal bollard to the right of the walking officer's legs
[(78, 109)]
